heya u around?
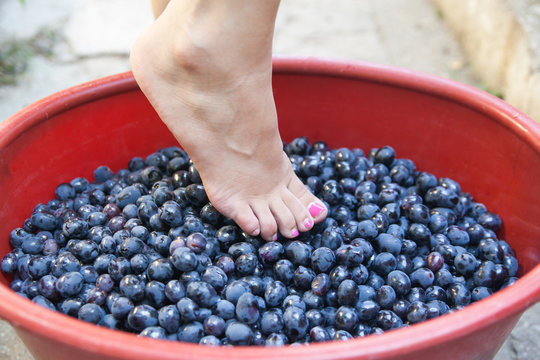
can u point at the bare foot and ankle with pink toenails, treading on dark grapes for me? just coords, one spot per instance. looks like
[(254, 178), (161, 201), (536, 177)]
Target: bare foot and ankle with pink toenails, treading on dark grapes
[(208, 75)]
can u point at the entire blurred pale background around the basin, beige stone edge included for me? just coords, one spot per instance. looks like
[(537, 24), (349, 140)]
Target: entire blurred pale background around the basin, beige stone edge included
[(49, 45)]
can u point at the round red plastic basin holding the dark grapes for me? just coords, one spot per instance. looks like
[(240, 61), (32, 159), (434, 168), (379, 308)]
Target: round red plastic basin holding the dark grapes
[(449, 129)]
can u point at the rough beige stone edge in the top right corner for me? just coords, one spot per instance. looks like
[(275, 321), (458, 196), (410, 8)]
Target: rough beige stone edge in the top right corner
[(502, 41)]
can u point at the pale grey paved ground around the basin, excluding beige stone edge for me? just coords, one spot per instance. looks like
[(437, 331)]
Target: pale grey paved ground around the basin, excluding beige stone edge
[(93, 41)]
